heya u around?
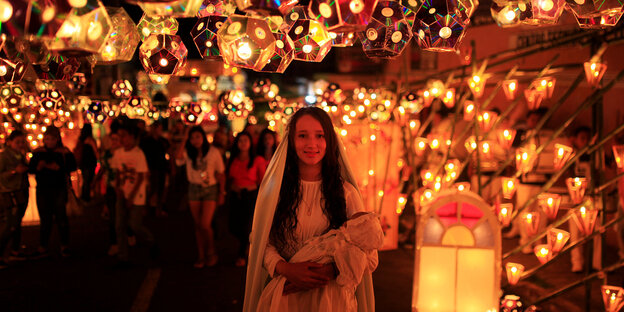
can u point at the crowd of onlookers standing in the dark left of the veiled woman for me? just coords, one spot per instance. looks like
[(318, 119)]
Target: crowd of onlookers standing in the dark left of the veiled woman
[(130, 172)]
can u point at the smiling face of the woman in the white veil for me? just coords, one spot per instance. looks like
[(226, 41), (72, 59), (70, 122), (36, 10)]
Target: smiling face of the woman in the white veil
[(310, 141)]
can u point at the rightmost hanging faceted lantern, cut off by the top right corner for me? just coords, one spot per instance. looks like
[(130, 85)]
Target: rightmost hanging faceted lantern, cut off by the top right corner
[(592, 14)]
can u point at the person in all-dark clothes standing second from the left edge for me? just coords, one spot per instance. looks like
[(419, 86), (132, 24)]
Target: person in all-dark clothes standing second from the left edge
[(52, 165)]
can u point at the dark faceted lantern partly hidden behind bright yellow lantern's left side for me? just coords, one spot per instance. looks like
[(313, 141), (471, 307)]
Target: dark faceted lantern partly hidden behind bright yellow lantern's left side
[(204, 35)]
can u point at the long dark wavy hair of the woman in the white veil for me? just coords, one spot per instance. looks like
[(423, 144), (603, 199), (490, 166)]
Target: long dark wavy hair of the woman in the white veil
[(332, 185)]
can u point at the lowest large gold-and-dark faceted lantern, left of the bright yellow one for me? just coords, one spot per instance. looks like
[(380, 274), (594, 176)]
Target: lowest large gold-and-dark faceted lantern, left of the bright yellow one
[(162, 54)]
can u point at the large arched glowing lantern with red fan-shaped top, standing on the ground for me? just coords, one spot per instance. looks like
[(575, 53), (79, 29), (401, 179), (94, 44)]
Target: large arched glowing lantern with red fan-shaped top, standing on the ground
[(458, 255)]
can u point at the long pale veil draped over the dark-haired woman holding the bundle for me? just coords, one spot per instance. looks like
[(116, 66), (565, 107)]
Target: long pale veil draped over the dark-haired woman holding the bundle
[(266, 203)]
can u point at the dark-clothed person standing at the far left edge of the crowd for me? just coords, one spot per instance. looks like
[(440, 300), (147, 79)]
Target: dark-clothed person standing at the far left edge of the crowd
[(13, 194)]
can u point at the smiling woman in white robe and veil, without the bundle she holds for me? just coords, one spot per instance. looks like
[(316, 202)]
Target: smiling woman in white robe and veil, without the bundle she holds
[(308, 190)]
